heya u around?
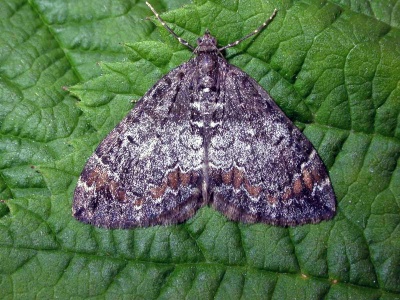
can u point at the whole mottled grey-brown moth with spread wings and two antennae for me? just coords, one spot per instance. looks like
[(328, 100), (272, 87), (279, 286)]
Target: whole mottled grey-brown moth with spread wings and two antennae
[(205, 134)]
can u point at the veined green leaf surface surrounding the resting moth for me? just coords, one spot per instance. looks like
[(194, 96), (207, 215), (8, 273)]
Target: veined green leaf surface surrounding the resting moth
[(69, 72)]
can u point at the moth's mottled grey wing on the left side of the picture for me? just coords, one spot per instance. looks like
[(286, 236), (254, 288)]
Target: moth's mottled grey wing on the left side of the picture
[(147, 171)]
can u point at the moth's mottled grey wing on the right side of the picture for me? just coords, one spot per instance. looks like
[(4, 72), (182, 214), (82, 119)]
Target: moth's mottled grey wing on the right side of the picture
[(262, 168)]
